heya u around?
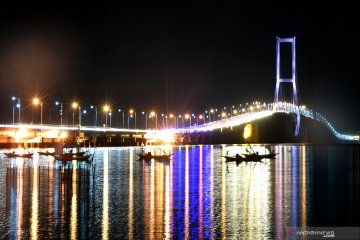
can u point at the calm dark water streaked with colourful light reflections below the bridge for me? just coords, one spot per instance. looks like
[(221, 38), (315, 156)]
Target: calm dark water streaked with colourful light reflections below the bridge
[(197, 195)]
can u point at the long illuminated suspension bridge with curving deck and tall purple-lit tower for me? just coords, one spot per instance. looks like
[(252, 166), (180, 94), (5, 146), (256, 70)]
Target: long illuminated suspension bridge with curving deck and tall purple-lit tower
[(291, 107)]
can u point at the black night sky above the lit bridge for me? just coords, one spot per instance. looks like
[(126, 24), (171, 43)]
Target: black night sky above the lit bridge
[(129, 58)]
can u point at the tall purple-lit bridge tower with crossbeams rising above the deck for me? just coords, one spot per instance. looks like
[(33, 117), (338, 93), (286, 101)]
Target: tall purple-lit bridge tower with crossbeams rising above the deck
[(291, 80)]
